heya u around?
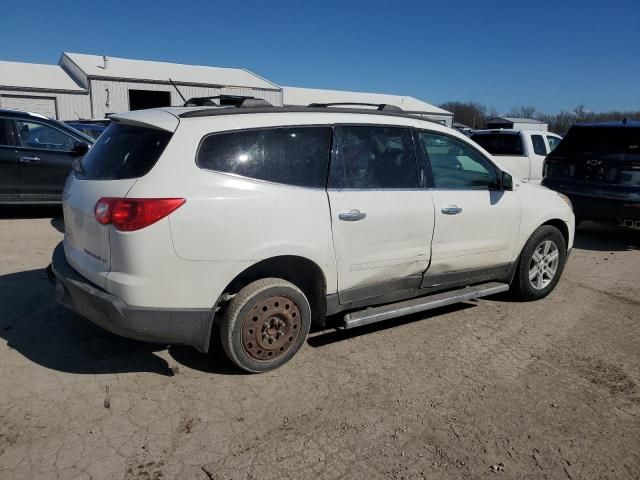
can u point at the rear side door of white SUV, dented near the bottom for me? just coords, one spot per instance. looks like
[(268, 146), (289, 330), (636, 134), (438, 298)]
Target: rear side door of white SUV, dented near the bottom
[(382, 219)]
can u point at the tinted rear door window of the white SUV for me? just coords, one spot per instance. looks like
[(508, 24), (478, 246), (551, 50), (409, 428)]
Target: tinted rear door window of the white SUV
[(374, 157)]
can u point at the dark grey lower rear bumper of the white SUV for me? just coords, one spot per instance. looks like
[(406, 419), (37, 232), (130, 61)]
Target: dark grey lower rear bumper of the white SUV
[(180, 326)]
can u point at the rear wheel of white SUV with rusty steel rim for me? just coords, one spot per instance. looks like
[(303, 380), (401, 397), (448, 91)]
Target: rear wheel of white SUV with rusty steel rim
[(265, 325)]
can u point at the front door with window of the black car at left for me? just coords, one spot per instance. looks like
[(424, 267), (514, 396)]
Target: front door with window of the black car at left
[(46, 158)]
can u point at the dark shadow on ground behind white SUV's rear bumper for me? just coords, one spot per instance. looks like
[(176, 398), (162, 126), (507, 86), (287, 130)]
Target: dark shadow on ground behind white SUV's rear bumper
[(50, 335)]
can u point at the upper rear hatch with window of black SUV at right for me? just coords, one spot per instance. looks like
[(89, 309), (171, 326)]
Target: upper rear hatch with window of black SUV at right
[(596, 161)]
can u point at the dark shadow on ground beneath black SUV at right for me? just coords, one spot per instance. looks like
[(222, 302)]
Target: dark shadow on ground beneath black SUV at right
[(600, 237)]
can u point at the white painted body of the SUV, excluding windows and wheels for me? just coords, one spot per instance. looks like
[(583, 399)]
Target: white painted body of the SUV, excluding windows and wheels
[(229, 223)]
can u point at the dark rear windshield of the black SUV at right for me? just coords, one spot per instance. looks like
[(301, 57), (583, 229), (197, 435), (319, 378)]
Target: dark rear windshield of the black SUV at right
[(601, 141)]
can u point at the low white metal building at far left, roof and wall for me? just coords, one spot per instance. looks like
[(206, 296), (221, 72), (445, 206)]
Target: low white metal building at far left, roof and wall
[(44, 89)]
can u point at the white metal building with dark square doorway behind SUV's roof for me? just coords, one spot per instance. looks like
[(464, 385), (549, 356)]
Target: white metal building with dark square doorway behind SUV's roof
[(119, 85)]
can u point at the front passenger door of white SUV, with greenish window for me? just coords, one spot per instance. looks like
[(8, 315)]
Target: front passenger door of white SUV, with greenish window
[(476, 223)]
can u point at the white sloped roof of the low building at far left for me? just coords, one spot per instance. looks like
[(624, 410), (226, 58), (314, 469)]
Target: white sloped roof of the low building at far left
[(36, 76)]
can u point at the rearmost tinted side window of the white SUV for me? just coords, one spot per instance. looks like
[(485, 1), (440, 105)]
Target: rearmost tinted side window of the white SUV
[(296, 156)]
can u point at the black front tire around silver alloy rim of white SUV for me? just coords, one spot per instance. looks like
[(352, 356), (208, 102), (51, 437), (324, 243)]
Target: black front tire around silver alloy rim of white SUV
[(522, 287)]
